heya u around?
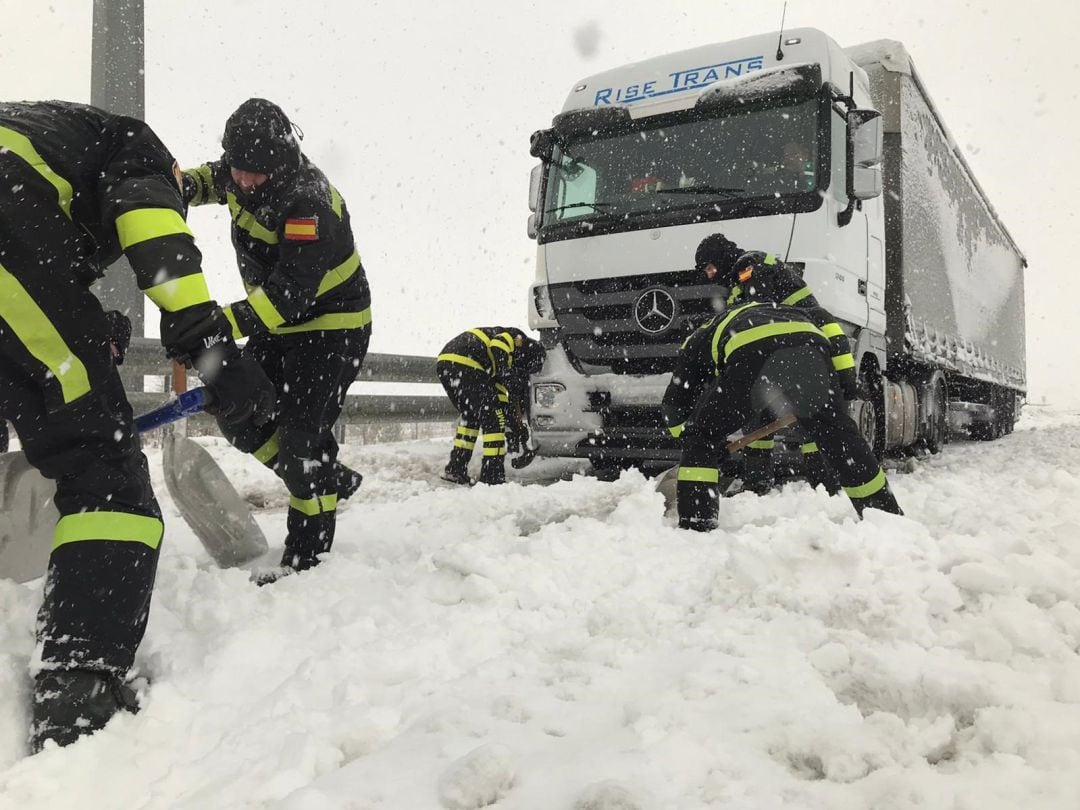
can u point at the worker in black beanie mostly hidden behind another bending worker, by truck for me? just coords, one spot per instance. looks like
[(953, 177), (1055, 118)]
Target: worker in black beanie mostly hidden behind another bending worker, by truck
[(755, 276)]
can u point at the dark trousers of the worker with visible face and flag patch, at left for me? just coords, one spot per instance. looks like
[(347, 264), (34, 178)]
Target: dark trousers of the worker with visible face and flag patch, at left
[(312, 373)]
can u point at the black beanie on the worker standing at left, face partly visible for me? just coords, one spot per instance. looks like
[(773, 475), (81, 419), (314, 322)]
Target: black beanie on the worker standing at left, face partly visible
[(259, 138)]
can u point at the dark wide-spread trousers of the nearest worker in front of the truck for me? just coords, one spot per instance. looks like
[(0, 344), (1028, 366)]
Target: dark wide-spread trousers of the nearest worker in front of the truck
[(798, 381)]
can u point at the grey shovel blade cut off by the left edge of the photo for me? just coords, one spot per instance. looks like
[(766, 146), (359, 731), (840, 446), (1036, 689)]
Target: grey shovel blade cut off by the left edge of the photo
[(28, 519)]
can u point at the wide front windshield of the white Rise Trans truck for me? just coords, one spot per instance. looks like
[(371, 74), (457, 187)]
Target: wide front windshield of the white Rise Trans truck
[(684, 166)]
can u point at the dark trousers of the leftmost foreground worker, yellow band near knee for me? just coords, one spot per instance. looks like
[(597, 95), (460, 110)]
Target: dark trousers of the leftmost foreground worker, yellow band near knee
[(105, 550)]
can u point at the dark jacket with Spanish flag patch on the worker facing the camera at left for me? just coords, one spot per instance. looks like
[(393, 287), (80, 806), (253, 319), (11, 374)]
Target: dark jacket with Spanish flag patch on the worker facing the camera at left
[(295, 251)]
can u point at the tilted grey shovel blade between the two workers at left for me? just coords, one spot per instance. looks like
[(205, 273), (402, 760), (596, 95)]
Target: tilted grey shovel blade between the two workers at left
[(217, 514)]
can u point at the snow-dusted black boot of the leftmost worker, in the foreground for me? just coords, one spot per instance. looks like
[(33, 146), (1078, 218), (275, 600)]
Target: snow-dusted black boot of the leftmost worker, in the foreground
[(71, 704)]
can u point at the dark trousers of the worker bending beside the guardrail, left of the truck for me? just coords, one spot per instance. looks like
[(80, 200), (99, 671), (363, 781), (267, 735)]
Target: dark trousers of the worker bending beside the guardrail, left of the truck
[(477, 400)]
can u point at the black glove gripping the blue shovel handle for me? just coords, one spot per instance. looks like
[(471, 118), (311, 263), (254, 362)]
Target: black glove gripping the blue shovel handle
[(240, 387)]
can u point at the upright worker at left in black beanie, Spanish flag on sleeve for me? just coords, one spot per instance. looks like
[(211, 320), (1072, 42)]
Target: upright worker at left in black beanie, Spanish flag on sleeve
[(307, 315)]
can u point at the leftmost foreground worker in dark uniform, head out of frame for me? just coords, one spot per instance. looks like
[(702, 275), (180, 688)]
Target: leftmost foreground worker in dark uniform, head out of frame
[(80, 186)]
